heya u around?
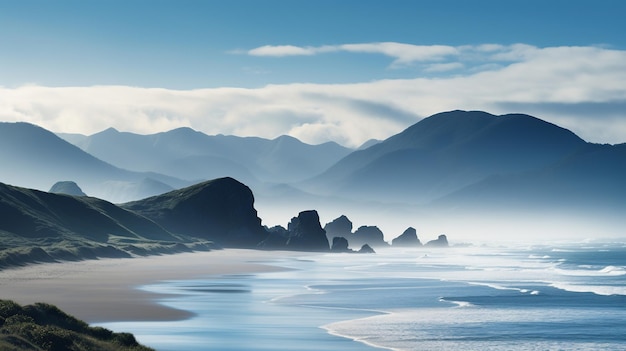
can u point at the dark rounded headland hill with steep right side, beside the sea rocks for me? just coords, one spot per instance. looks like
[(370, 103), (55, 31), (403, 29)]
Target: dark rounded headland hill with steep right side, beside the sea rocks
[(221, 210)]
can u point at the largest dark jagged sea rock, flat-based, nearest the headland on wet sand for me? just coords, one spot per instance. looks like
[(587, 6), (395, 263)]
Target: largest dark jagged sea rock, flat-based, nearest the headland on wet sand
[(306, 233)]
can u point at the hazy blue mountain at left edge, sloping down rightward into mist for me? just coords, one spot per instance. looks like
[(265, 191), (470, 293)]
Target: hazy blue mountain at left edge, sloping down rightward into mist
[(36, 158)]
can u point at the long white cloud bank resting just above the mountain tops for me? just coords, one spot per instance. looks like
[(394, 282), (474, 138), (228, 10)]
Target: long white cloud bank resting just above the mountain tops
[(580, 88)]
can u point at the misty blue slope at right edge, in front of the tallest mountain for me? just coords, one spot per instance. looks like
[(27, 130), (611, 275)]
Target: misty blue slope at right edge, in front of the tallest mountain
[(590, 179)]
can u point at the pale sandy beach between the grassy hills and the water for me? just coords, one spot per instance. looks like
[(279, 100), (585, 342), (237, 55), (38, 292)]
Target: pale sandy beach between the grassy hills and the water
[(106, 290)]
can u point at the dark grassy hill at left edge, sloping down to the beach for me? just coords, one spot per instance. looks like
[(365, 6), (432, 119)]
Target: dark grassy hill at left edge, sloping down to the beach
[(41, 226)]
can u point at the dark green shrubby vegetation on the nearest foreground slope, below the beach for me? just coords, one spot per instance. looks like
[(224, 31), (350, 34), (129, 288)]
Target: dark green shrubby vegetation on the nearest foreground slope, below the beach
[(44, 327)]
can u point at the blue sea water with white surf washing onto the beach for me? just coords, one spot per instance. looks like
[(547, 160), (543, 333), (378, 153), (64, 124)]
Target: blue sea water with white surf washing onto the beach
[(565, 297)]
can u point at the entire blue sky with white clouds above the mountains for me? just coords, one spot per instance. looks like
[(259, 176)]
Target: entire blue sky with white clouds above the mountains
[(344, 70)]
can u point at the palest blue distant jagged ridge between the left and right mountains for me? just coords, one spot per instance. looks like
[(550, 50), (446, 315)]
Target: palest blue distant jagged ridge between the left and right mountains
[(192, 155)]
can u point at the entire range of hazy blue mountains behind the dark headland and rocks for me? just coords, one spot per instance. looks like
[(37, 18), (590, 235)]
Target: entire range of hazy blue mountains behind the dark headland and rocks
[(449, 163)]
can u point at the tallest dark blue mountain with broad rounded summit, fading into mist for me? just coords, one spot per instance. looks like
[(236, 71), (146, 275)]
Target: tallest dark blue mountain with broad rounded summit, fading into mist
[(445, 153)]
